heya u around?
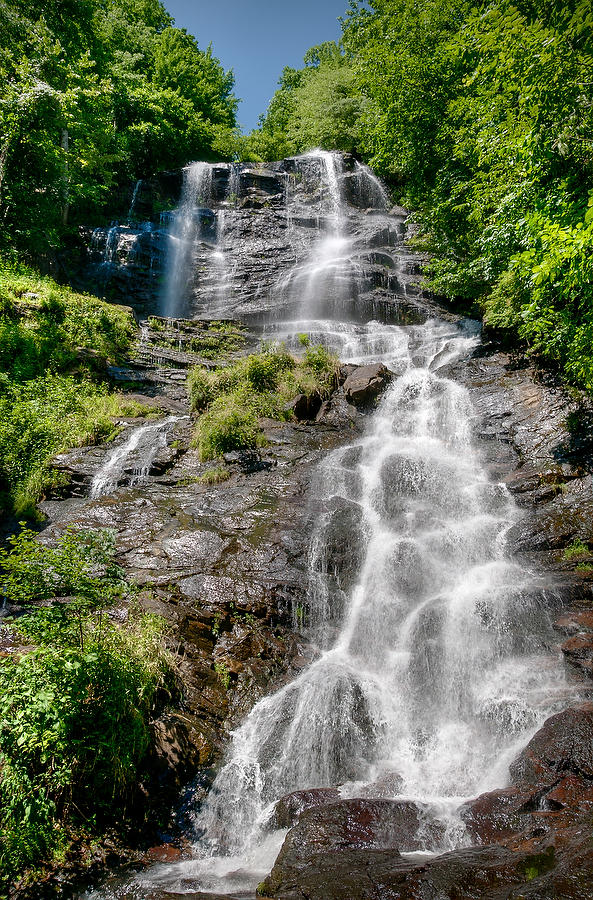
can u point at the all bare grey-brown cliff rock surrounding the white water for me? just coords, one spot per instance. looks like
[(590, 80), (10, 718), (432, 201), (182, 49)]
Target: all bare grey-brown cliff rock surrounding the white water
[(228, 564)]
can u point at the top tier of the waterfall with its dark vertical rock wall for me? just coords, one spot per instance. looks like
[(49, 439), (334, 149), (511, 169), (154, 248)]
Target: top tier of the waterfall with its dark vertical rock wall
[(234, 230)]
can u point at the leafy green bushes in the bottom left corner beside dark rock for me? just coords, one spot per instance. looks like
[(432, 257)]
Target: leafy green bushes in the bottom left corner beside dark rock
[(75, 709)]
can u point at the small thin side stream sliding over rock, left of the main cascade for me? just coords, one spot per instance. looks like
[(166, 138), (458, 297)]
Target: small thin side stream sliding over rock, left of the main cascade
[(141, 449)]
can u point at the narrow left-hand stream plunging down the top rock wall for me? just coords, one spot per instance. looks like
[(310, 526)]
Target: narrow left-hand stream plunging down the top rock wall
[(184, 231)]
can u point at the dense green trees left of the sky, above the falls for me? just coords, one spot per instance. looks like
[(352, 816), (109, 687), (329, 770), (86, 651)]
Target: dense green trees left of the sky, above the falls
[(96, 93)]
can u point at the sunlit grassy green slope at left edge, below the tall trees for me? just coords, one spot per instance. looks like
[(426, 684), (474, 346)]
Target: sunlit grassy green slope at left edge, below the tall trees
[(53, 344)]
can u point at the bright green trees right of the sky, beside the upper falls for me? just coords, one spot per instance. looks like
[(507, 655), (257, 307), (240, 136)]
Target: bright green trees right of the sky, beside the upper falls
[(480, 117)]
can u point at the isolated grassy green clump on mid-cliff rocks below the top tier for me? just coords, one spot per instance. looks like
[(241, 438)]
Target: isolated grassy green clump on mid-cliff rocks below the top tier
[(232, 398)]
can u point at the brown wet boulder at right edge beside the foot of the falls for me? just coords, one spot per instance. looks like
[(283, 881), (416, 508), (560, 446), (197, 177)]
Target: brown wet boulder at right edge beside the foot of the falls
[(563, 746)]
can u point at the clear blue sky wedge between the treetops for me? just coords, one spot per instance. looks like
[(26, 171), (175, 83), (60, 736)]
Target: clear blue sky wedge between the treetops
[(257, 39)]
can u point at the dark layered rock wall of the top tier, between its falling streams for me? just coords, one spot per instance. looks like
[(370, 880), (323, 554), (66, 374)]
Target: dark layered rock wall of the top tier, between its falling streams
[(259, 222)]
